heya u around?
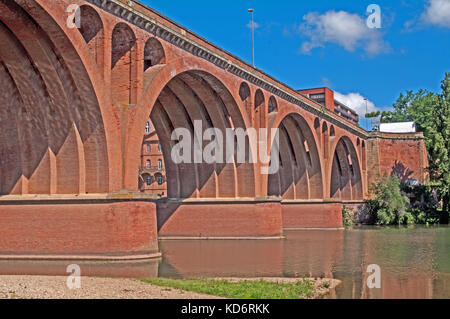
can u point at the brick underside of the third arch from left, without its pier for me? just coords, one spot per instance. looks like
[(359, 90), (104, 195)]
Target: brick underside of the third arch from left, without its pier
[(300, 174)]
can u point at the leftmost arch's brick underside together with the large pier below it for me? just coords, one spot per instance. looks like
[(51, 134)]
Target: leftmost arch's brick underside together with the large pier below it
[(53, 141)]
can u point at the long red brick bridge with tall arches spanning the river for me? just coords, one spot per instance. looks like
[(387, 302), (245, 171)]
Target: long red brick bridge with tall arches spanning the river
[(74, 106)]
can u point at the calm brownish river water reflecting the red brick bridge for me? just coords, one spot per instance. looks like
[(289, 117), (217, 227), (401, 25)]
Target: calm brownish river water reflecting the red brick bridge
[(414, 261)]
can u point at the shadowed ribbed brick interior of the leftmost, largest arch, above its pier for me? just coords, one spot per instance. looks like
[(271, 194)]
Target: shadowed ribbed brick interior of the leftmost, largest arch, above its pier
[(52, 121)]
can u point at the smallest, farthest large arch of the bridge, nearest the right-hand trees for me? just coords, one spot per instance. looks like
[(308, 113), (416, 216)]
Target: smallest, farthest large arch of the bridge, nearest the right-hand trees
[(346, 176)]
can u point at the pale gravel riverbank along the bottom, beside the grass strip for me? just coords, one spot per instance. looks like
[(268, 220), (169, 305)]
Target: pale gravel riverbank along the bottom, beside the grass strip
[(54, 287)]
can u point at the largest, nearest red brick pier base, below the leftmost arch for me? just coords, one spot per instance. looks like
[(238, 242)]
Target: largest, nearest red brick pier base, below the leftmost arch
[(87, 228)]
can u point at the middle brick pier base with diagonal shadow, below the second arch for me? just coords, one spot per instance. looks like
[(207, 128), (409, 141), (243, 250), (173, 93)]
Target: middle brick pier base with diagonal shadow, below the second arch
[(220, 219)]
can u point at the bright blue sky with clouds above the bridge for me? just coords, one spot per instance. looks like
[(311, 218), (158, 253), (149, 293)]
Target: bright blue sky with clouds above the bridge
[(315, 43)]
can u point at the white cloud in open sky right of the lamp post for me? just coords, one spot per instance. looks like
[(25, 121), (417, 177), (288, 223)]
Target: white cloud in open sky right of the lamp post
[(340, 27)]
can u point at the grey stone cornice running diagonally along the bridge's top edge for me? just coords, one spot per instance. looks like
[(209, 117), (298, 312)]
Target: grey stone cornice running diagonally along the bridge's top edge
[(178, 39)]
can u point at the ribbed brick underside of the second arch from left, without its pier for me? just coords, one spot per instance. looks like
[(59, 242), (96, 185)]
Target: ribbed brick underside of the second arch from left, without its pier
[(197, 102)]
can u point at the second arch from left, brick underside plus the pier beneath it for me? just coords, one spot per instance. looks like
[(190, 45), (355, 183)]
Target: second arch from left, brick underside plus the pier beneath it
[(208, 200)]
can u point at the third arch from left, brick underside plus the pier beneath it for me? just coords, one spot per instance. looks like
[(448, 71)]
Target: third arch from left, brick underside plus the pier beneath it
[(300, 181)]
